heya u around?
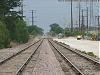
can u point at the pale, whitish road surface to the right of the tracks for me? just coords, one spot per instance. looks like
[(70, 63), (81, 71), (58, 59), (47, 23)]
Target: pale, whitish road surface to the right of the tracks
[(84, 45)]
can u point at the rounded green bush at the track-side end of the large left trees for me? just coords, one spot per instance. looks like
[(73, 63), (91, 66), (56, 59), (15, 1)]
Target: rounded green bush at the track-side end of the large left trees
[(21, 32)]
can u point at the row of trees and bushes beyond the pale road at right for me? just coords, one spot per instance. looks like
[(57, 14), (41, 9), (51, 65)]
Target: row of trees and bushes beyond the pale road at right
[(56, 30)]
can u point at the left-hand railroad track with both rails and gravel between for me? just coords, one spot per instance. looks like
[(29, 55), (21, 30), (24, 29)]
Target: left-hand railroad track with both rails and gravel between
[(15, 64)]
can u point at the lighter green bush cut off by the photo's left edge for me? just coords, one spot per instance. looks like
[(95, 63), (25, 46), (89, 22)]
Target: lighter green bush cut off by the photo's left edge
[(4, 36)]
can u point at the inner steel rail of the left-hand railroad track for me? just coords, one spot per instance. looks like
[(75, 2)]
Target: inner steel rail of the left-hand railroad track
[(27, 61)]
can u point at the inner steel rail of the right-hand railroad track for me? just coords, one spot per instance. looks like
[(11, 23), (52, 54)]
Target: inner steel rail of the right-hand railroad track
[(78, 71)]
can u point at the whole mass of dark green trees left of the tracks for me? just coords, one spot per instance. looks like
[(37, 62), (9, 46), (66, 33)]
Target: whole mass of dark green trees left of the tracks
[(13, 28)]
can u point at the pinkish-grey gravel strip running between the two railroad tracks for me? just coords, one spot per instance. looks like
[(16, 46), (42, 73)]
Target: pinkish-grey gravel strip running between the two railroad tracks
[(47, 63)]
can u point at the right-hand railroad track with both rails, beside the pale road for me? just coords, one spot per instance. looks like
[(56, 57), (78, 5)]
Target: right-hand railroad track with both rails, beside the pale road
[(80, 64)]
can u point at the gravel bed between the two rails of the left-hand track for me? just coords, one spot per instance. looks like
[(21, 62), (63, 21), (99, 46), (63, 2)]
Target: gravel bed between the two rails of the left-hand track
[(11, 66)]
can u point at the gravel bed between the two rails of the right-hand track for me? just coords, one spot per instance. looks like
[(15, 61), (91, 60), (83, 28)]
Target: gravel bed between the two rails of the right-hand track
[(86, 66)]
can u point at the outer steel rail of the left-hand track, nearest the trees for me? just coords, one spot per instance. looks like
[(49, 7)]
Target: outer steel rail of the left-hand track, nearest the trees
[(5, 60)]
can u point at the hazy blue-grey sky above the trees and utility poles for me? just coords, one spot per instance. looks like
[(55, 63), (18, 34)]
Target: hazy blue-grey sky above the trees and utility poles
[(50, 11)]
